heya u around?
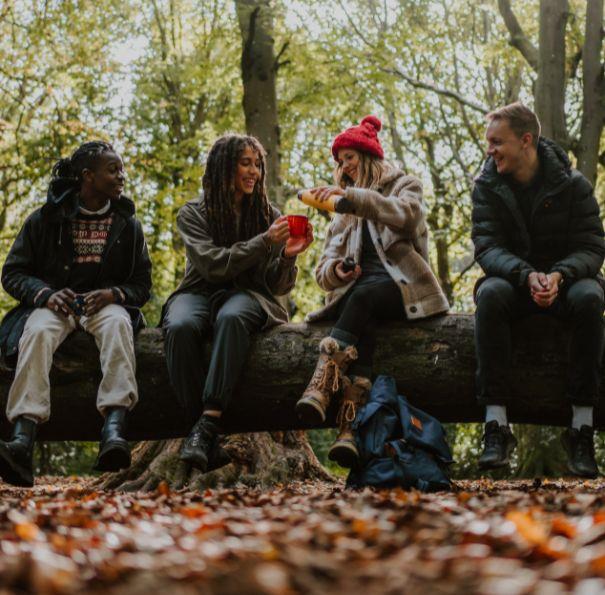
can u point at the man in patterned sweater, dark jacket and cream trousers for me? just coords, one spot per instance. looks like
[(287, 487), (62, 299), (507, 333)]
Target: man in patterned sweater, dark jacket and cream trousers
[(79, 261)]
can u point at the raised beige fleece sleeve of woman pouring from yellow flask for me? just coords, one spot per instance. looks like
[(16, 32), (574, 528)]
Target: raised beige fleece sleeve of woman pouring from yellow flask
[(402, 210)]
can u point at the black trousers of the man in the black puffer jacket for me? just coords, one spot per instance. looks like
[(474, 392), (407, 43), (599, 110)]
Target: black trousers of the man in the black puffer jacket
[(499, 304)]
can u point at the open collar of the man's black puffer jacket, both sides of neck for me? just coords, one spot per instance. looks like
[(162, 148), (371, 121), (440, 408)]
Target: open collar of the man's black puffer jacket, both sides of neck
[(554, 161)]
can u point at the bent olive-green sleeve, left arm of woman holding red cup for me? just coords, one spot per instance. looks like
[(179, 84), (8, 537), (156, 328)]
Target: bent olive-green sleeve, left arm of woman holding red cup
[(216, 263)]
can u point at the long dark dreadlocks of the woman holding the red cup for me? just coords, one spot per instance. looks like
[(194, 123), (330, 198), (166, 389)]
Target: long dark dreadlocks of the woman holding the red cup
[(219, 189)]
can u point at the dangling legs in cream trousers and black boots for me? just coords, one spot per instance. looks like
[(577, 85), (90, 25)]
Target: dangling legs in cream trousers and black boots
[(29, 395)]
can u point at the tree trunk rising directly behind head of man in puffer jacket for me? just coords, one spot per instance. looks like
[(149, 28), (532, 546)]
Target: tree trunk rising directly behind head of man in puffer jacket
[(550, 87)]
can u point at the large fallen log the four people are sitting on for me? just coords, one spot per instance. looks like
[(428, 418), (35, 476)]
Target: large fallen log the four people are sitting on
[(432, 360)]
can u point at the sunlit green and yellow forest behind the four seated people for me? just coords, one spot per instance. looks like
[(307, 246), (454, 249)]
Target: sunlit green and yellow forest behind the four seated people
[(161, 79)]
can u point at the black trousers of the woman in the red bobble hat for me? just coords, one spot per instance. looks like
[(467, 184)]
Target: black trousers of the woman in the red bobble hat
[(360, 309)]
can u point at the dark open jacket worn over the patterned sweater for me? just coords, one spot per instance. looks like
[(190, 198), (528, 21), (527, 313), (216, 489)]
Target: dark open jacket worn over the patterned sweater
[(40, 260)]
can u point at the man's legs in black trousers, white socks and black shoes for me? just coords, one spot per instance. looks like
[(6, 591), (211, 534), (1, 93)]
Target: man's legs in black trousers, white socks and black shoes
[(499, 304)]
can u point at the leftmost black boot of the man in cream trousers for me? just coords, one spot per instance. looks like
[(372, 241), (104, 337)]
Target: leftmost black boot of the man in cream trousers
[(16, 456)]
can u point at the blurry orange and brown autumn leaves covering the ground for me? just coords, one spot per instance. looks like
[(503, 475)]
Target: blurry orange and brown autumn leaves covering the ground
[(486, 537)]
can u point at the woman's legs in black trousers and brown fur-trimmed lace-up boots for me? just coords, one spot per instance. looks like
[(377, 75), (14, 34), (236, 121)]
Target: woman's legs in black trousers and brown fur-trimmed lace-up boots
[(345, 361)]
